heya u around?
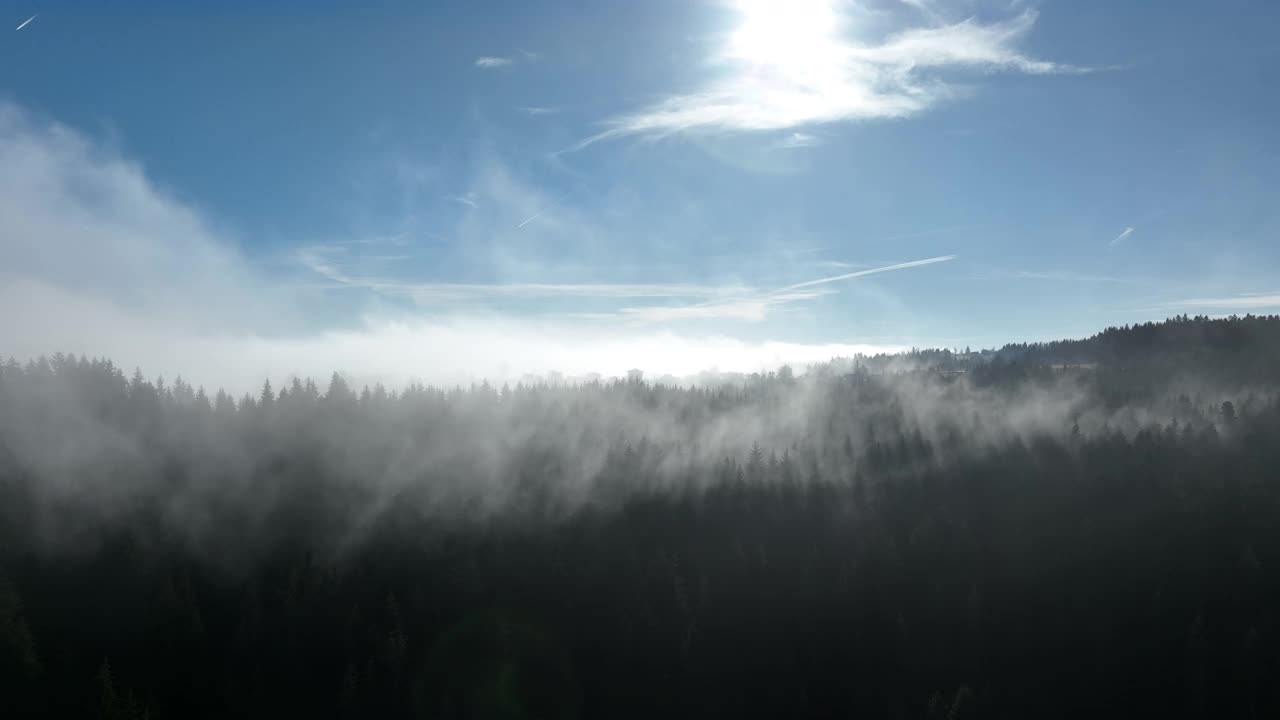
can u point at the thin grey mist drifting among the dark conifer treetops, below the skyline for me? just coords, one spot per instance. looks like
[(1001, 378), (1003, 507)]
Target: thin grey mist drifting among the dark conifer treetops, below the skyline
[(218, 471)]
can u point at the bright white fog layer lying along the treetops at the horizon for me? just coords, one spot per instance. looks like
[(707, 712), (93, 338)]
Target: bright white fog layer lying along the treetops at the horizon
[(447, 350)]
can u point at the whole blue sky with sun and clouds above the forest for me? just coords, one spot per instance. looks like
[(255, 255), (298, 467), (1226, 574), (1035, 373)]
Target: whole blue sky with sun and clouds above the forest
[(593, 185)]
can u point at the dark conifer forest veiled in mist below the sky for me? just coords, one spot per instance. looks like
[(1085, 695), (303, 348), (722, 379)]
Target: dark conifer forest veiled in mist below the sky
[(1071, 530)]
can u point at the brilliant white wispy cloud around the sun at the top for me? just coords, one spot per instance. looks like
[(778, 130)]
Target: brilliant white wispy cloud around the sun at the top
[(811, 62)]
